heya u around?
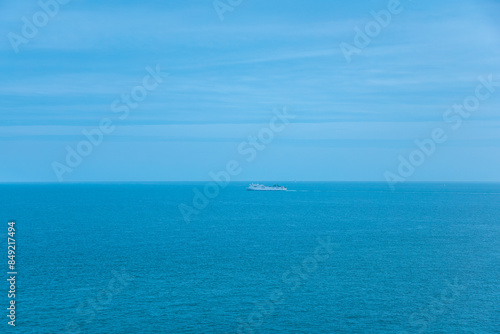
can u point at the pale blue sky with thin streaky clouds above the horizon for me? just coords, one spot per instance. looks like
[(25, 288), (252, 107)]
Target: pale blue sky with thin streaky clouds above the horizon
[(227, 78)]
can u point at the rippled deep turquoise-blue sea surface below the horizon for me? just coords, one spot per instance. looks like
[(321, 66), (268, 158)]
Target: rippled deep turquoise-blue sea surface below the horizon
[(323, 258)]
